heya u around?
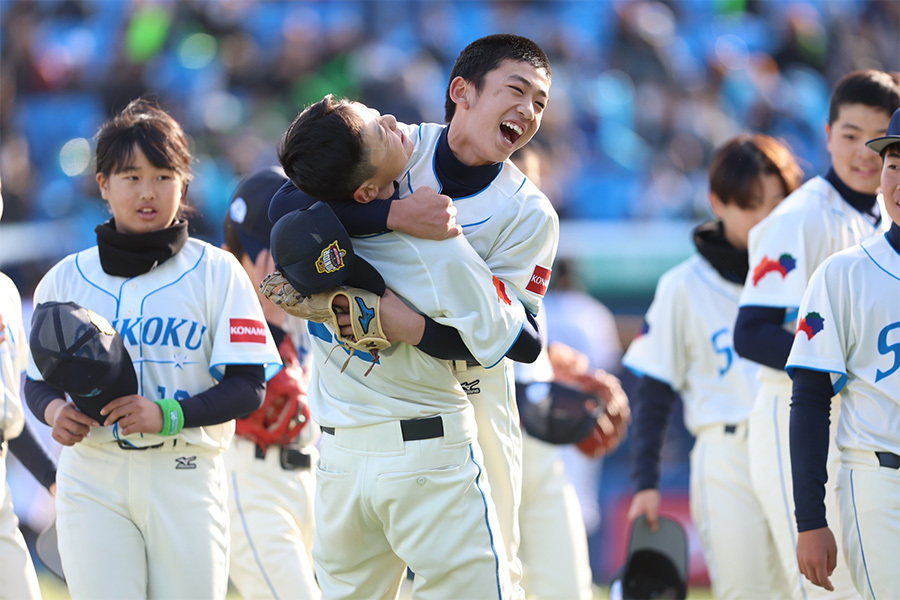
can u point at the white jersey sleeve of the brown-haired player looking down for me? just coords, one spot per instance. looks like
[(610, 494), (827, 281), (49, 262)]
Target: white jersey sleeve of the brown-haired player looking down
[(660, 349)]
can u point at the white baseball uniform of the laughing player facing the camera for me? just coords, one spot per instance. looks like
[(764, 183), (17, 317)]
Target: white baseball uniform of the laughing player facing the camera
[(513, 227)]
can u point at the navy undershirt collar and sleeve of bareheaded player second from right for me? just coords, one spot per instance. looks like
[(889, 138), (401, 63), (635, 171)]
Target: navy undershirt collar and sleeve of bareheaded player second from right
[(759, 334)]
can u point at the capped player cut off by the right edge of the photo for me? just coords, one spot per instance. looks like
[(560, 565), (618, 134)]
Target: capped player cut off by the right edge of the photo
[(848, 343)]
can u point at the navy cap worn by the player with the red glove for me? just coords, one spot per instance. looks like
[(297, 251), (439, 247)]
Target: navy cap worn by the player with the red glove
[(248, 211)]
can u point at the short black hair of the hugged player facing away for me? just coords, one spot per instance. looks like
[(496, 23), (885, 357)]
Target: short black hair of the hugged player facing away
[(323, 153)]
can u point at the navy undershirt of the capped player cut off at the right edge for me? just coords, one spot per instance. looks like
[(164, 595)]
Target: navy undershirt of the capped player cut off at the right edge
[(809, 433)]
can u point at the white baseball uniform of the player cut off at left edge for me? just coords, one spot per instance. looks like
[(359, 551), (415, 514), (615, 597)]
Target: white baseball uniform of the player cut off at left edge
[(19, 579)]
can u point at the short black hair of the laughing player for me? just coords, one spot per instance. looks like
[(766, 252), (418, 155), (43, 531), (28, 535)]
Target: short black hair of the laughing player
[(485, 54)]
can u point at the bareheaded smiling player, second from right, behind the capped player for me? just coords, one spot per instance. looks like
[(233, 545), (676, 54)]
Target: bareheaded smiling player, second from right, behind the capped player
[(825, 215)]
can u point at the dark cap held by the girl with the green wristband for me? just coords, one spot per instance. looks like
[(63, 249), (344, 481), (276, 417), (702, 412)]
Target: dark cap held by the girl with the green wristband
[(79, 352)]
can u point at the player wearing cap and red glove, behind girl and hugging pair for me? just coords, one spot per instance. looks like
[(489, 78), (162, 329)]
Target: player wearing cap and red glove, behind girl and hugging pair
[(269, 462)]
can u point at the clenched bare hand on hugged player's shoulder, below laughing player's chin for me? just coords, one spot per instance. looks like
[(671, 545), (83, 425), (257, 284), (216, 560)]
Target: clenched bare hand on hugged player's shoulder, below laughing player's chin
[(424, 214)]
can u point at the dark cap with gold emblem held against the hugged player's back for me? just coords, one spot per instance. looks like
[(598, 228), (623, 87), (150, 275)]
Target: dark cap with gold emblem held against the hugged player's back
[(313, 251)]
